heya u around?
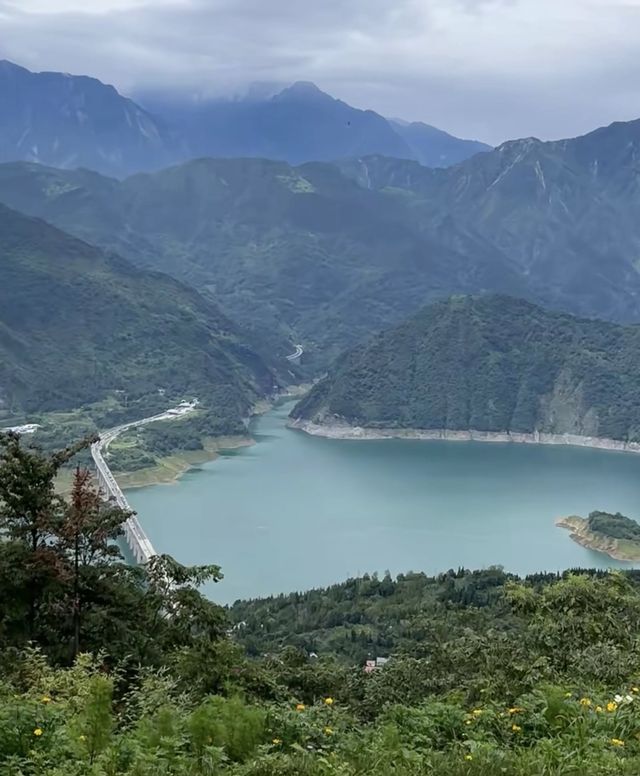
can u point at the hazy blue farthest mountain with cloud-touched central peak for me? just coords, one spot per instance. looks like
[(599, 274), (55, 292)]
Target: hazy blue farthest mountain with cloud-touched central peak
[(301, 123)]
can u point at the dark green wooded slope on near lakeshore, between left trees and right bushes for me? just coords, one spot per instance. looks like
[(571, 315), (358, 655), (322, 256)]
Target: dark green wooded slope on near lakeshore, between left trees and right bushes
[(371, 617)]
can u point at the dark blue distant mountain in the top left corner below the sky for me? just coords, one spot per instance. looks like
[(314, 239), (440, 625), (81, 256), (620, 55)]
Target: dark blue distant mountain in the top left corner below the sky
[(76, 121)]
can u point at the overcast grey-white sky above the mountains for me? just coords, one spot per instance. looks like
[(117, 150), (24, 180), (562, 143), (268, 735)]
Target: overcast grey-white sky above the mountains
[(491, 69)]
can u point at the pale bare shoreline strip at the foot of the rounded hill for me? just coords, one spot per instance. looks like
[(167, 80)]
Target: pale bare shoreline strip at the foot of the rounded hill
[(345, 431)]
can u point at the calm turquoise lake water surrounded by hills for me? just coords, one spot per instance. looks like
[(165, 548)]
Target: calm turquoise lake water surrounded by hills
[(294, 511)]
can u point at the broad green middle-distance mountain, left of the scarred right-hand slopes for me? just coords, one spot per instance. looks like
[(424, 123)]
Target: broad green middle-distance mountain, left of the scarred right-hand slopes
[(298, 254)]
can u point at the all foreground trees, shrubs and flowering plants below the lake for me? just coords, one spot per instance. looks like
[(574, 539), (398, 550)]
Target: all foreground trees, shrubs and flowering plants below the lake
[(109, 669)]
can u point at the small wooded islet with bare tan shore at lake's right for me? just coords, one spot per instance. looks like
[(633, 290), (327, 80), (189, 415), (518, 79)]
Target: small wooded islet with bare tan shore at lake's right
[(616, 535)]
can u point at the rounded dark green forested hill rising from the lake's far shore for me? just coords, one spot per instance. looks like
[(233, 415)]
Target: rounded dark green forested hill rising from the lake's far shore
[(490, 363)]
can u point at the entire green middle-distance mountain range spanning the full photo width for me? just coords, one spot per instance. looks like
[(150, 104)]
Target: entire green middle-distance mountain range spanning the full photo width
[(328, 253)]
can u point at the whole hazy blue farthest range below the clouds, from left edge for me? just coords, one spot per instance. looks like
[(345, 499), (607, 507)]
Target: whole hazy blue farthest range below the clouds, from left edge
[(75, 121)]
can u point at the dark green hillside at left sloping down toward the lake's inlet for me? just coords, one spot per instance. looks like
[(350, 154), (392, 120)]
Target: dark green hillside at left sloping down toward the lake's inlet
[(77, 324)]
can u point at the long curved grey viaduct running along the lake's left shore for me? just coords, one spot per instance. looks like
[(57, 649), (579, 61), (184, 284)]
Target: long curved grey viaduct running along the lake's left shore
[(137, 541)]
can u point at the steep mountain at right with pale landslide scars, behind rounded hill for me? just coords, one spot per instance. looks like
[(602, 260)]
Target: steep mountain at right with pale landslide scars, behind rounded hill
[(566, 212)]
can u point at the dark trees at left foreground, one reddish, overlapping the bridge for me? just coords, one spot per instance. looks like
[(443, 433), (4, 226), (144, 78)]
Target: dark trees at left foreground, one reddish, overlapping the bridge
[(64, 585)]
